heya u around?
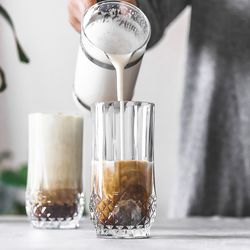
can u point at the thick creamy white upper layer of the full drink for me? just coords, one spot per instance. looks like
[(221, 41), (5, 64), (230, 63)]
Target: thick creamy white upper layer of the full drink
[(55, 157)]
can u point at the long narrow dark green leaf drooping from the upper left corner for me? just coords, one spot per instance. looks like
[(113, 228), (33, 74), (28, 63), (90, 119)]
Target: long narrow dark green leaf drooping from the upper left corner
[(22, 56)]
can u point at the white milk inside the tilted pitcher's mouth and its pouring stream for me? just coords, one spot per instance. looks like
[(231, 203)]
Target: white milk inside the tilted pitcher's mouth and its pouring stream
[(119, 46)]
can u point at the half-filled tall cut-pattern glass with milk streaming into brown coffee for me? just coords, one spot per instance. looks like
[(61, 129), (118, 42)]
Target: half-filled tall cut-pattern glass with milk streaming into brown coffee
[(123, 199)]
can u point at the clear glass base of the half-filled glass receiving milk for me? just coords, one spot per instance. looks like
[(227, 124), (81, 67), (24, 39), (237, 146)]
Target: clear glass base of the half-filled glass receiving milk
[(123, 233)]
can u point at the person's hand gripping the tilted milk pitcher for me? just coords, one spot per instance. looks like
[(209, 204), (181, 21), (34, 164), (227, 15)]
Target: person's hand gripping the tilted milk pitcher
[(77, 8)]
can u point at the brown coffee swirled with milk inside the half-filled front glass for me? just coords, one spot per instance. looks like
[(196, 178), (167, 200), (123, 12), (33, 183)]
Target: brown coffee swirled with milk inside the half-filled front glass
[(122, 194)]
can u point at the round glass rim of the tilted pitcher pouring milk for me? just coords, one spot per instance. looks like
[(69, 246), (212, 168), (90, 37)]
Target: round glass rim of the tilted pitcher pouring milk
[(135, 8)]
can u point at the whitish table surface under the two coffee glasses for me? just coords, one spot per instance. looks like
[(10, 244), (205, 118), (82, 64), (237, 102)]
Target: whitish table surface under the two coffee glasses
[(202, 234)]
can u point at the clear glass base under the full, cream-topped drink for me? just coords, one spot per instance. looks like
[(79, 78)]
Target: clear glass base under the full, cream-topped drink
[(67, 224)]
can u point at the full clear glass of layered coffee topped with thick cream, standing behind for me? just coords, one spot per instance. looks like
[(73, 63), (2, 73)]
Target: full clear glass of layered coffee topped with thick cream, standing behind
[(54, 196)]
